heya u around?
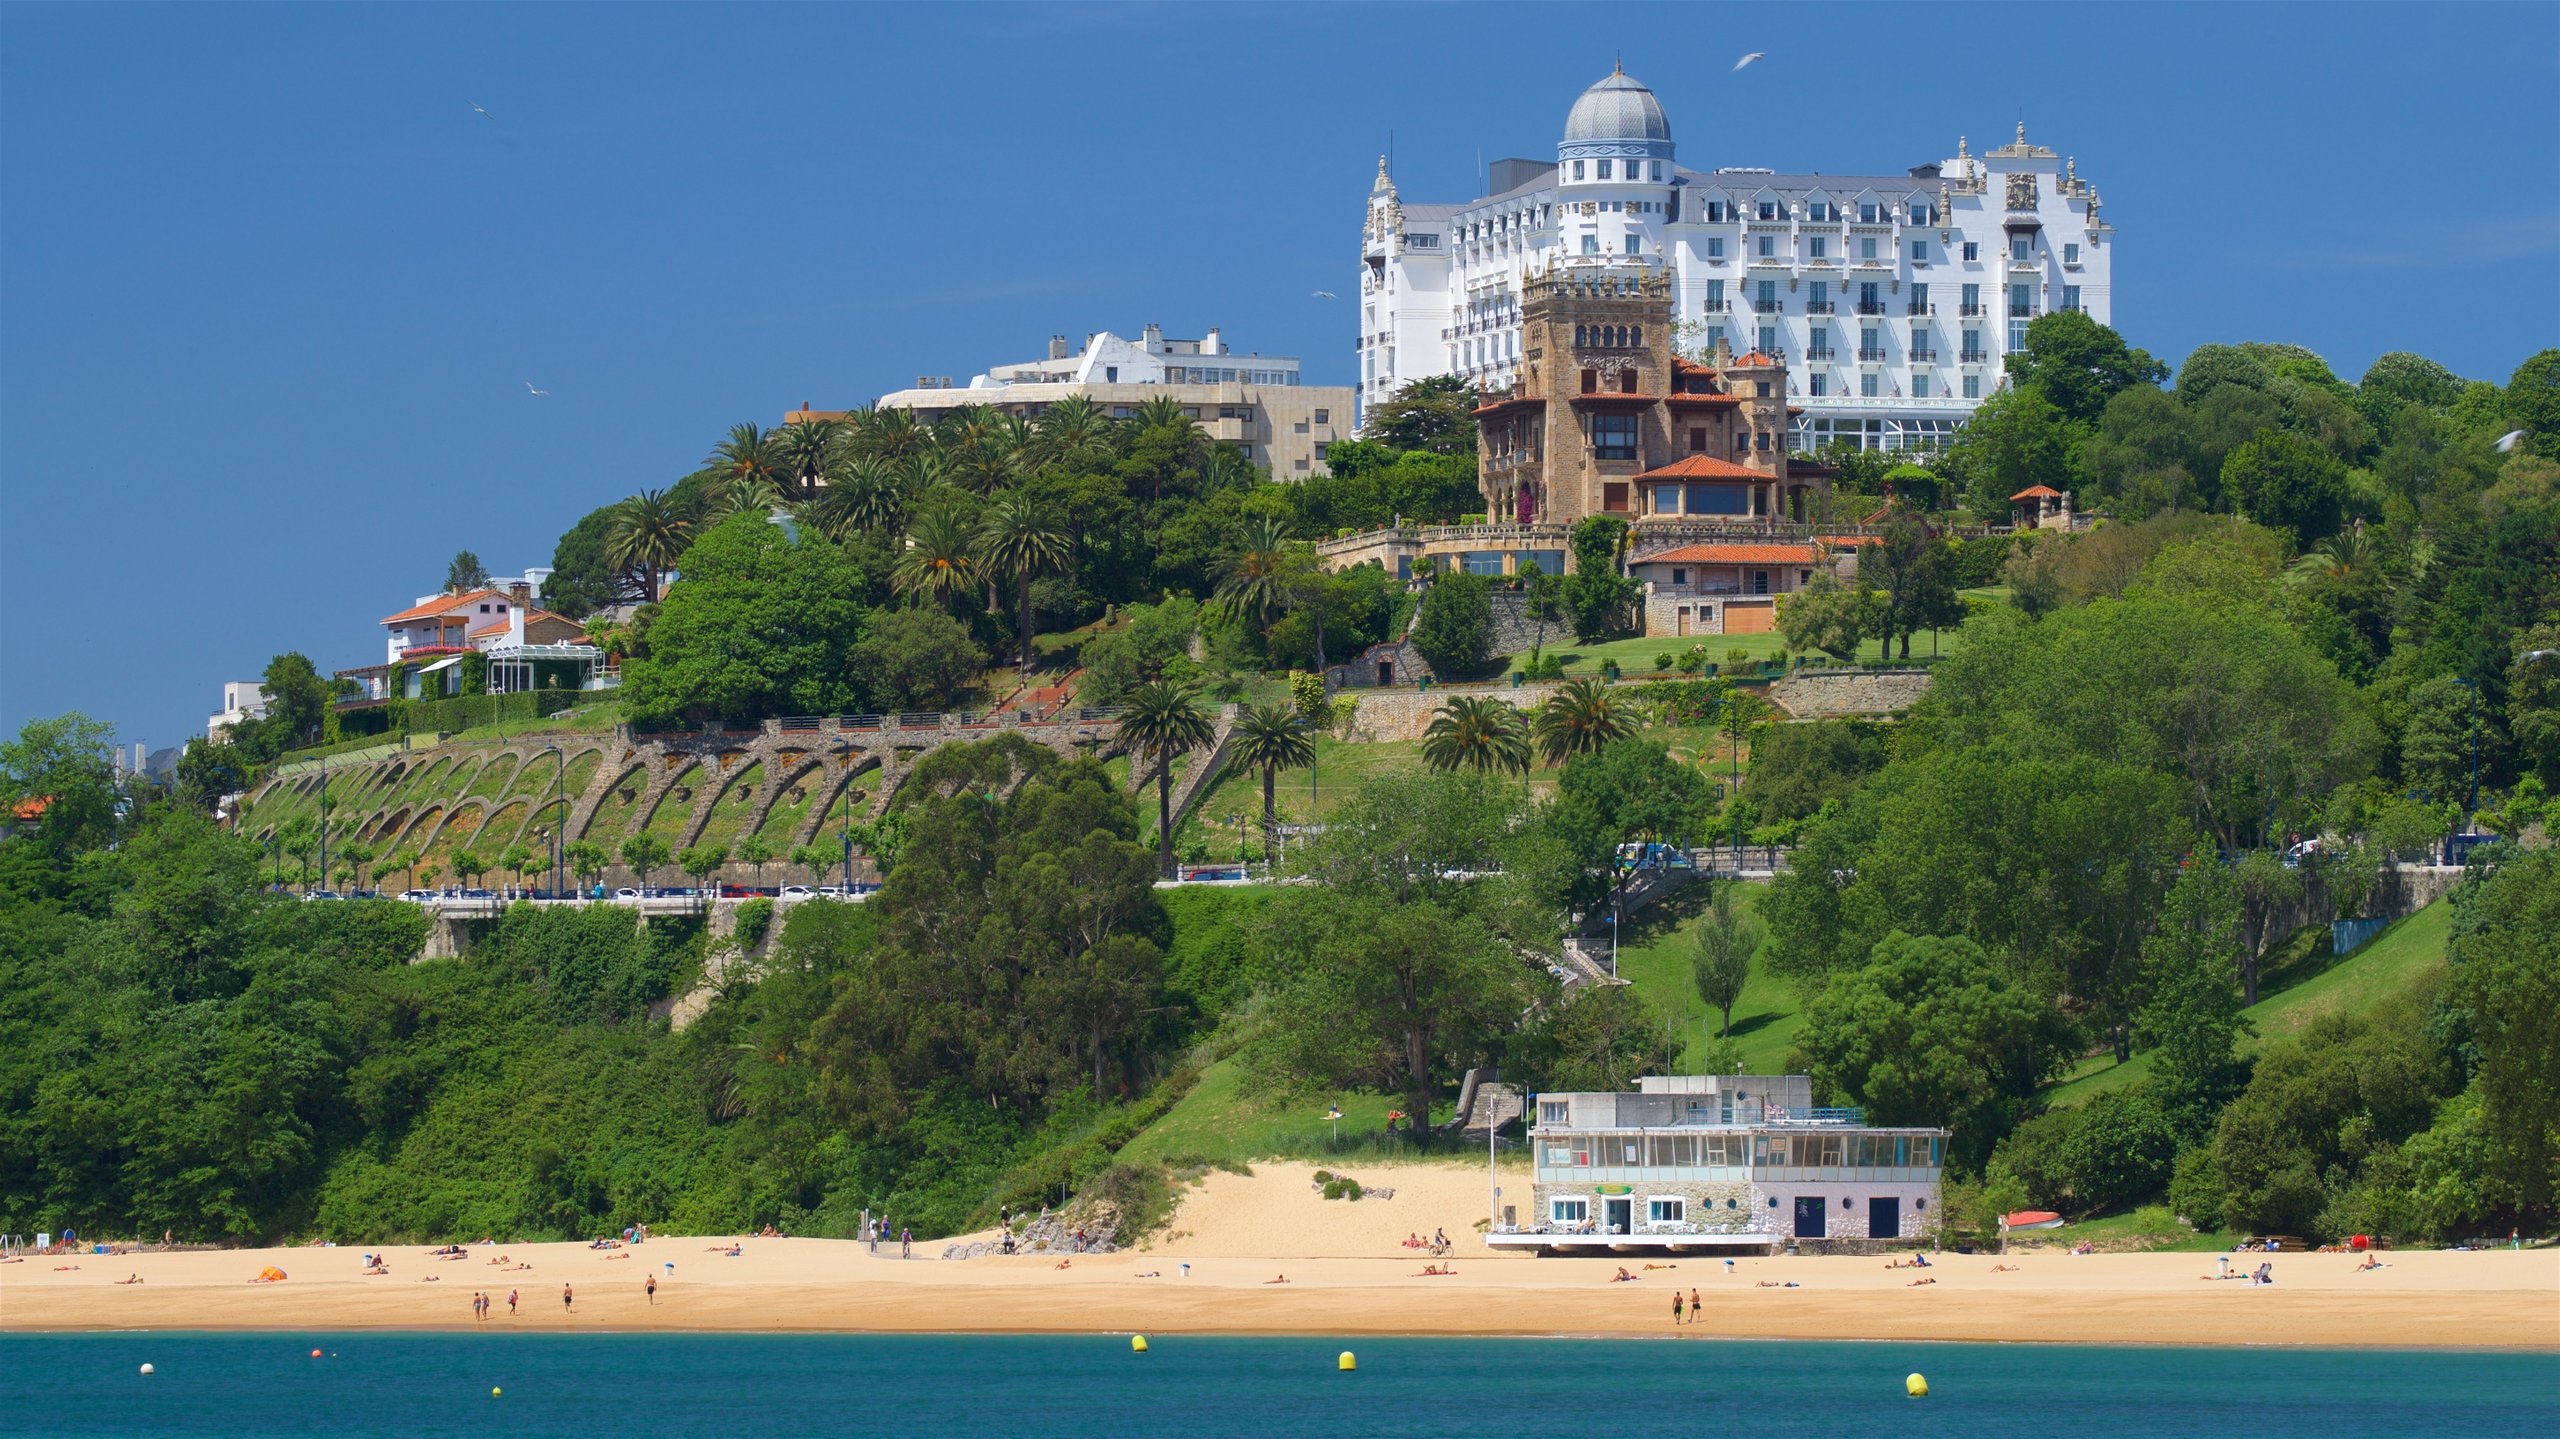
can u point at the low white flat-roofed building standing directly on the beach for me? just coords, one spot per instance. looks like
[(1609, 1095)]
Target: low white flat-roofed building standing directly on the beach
[(1719, 1164)]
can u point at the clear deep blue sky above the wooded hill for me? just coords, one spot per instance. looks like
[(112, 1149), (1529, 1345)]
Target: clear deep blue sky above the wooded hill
[(270, 288)]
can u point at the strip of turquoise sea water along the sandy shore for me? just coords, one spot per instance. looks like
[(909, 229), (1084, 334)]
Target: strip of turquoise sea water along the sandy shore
[(749, 1387)]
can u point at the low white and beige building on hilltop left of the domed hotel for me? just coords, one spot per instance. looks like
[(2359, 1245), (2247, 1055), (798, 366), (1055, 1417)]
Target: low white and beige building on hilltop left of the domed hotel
[(1248, 401)]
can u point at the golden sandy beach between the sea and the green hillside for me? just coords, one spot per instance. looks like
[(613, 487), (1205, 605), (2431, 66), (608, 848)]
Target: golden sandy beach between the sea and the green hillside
[(1348, 1274)]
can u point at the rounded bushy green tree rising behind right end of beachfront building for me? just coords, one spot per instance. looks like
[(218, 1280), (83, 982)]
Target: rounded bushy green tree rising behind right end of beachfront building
[(1932, 1033)]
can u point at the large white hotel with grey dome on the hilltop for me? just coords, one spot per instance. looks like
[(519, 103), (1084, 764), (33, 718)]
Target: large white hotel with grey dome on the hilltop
[(1891, 298)]
